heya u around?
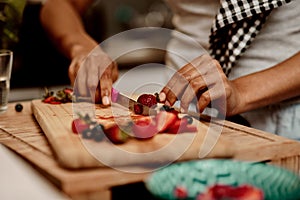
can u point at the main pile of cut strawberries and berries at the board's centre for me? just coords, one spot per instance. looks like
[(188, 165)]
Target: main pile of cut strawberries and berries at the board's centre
[(167, 120)]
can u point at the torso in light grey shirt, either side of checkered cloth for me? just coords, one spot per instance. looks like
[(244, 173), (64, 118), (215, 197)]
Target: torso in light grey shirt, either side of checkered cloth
[(194, 18)]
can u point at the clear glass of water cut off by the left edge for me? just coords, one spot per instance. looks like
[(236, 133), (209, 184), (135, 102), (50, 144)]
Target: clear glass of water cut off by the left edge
[(6, 61)]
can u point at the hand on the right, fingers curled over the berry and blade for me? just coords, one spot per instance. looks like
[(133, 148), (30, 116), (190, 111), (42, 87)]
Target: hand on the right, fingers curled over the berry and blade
[(202, 80)]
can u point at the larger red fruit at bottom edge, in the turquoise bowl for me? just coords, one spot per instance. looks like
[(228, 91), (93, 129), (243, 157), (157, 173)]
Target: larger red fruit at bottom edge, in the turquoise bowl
[(242, 192)]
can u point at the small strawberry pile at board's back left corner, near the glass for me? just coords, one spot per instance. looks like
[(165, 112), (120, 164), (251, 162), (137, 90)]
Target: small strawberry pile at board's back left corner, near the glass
[(61, 96)]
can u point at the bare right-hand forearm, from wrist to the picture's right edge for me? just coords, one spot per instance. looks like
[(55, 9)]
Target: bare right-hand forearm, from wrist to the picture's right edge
[(270, 86)]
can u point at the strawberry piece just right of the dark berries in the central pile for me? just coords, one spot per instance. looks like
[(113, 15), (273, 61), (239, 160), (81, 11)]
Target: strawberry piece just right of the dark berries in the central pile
[(116, 135)]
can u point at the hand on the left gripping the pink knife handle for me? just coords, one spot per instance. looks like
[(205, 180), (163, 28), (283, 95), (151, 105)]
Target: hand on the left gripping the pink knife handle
[(92, 75)]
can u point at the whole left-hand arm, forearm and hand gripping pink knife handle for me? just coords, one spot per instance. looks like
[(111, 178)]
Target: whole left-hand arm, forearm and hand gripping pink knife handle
[(62, 21)]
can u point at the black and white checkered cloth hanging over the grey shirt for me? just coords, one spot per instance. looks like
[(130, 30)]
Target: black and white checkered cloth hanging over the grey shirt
[(236, 25)]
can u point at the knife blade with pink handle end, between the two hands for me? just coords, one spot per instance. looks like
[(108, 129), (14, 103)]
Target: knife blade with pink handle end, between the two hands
[(131, 104)]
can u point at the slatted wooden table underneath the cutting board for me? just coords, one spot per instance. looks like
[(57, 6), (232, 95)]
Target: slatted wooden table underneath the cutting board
[(21, 133)]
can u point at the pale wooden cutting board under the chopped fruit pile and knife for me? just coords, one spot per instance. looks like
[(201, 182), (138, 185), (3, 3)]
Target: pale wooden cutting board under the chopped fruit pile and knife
[(72, 151)]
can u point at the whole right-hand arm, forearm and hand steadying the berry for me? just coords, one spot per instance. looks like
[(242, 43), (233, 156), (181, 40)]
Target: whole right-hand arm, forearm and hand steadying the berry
[(278, 83)]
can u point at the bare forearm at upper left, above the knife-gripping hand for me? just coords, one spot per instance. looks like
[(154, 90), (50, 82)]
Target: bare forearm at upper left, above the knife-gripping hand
[(62, 21)]
